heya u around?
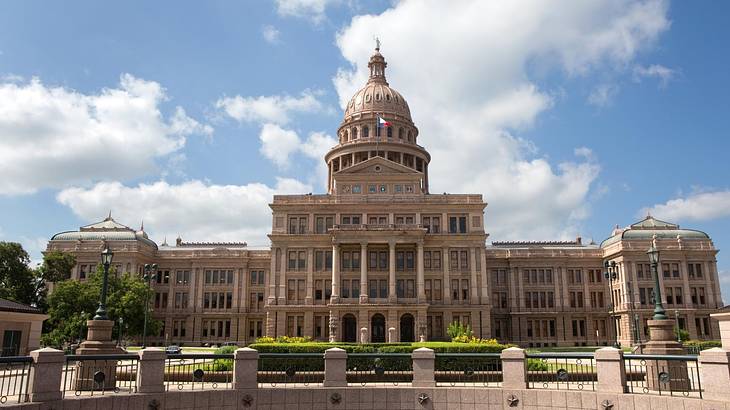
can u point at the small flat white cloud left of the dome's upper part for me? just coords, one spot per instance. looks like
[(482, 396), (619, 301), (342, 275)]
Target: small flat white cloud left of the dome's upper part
[(275, 109)]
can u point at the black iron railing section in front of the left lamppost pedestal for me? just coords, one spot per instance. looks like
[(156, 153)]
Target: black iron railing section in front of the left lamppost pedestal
[(100, 374)]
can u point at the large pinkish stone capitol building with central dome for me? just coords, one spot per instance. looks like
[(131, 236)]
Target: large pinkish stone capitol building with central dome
[(380, 258)]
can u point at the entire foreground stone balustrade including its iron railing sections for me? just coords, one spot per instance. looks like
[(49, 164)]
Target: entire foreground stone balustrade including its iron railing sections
[(338, 380)]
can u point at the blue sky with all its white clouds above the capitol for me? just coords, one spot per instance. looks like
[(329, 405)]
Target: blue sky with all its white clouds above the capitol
[(569, 118)]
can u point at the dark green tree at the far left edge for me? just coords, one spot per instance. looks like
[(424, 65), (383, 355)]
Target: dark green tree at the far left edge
[(18, 282)]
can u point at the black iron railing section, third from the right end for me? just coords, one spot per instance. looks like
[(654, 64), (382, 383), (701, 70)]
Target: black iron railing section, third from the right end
[(468, 369)]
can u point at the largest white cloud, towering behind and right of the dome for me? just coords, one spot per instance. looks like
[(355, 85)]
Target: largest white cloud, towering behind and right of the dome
[(469, 89)]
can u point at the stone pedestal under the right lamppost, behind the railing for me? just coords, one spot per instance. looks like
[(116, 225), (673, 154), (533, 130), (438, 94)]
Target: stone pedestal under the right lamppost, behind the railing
[(665, 374)]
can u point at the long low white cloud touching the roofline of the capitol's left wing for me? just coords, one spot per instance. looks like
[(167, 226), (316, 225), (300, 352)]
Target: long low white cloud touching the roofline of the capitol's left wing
[(196, 210)]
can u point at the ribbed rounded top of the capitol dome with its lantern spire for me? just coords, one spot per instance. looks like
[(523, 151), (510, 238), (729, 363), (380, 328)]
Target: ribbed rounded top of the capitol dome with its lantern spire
[(377, 96)]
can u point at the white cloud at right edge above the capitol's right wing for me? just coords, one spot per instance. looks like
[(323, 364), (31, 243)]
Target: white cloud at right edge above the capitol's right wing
[(699, 206)]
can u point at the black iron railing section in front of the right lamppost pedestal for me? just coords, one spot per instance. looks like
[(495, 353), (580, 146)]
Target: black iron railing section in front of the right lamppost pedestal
[(672, 375)]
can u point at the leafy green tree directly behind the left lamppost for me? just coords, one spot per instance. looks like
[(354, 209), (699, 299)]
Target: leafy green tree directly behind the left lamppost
[(74, 302)]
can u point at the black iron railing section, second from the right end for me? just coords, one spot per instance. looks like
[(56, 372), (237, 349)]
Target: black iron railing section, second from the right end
[(561, 371)]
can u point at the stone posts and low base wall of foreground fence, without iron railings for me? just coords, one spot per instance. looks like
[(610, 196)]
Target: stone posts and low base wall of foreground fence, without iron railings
[(608, 387)]
